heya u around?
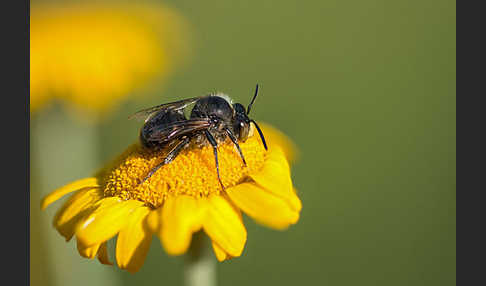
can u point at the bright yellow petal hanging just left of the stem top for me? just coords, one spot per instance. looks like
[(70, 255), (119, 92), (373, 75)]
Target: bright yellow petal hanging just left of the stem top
[(181, 217)]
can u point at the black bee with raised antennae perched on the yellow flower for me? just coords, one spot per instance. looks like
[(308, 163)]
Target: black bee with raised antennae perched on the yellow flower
[(212, 120)]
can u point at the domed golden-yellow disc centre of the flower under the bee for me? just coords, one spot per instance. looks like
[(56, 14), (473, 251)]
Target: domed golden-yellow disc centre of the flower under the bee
[(192, 172)]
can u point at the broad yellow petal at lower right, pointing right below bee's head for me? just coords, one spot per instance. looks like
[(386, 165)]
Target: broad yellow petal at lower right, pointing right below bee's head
[(264, 207)]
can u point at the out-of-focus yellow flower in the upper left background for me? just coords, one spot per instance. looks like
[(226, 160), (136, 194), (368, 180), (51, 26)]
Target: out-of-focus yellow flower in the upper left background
[(93, 55)]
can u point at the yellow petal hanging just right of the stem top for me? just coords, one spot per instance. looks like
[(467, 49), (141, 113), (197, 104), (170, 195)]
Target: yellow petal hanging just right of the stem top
[(223, 224)]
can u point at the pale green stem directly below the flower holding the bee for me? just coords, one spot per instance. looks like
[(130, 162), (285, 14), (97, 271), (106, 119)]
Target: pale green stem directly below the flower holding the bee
[(200, 268)]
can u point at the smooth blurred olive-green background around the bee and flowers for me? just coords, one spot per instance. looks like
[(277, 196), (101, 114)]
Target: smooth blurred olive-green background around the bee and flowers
[(366, 89)]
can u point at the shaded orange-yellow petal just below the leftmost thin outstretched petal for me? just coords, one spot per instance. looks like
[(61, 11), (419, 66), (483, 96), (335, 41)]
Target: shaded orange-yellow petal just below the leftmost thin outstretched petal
[(75, 209)]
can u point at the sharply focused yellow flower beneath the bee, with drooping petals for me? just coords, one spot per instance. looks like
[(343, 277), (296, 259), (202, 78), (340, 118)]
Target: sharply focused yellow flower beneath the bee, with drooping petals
[(181, 198)]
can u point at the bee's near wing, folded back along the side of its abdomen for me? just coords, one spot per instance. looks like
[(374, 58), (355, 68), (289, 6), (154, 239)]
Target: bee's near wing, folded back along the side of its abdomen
[(177, 129)]
